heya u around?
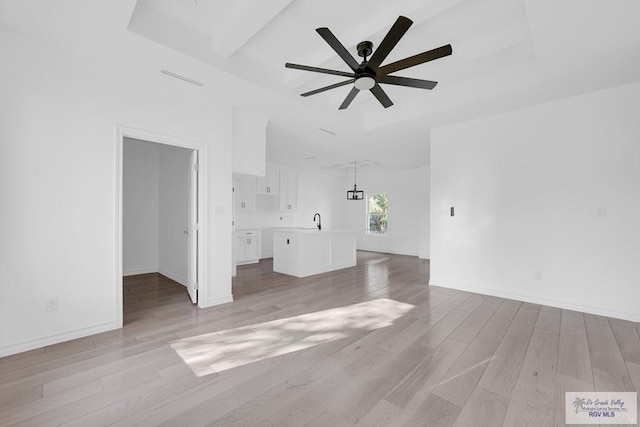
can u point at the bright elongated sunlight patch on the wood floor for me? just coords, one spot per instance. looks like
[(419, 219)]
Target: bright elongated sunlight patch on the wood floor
[(219, 351)]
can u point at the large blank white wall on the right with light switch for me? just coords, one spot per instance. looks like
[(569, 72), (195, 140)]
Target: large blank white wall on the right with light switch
[(529, 188)]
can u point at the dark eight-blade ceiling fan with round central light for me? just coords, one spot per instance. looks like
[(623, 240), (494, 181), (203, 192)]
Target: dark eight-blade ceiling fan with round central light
[(369, 74)]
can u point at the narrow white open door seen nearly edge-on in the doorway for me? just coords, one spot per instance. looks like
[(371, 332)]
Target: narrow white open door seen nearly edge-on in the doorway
[(192, 244)]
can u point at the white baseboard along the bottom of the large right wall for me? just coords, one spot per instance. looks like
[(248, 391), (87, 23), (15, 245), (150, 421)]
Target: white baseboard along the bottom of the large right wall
[(538, 300)]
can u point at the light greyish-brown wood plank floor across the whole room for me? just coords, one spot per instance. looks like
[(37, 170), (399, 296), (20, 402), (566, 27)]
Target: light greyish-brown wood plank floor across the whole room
[(372, 345)]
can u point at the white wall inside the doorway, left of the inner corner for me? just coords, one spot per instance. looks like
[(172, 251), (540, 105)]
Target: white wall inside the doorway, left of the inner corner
[(140, 198)]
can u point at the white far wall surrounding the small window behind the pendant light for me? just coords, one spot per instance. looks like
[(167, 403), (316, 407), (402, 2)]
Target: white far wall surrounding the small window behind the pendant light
[(407, 192)]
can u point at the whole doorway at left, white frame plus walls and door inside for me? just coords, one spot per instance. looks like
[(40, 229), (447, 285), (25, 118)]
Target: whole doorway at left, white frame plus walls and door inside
[(160, 200)]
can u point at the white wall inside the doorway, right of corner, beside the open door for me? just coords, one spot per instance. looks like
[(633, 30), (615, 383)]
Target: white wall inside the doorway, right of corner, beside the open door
[(173, 219)]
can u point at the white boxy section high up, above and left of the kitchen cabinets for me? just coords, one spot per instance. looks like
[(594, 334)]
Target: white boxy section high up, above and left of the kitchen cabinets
[(249, 136)]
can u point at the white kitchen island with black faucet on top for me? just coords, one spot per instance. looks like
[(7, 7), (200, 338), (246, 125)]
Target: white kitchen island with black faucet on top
[(303, 252)]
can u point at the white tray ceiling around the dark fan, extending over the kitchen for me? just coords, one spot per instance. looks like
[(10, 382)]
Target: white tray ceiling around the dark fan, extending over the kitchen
[(506, 54)]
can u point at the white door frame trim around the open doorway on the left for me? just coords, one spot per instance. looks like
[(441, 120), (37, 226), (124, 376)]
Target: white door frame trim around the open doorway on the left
[(129, 132)]
